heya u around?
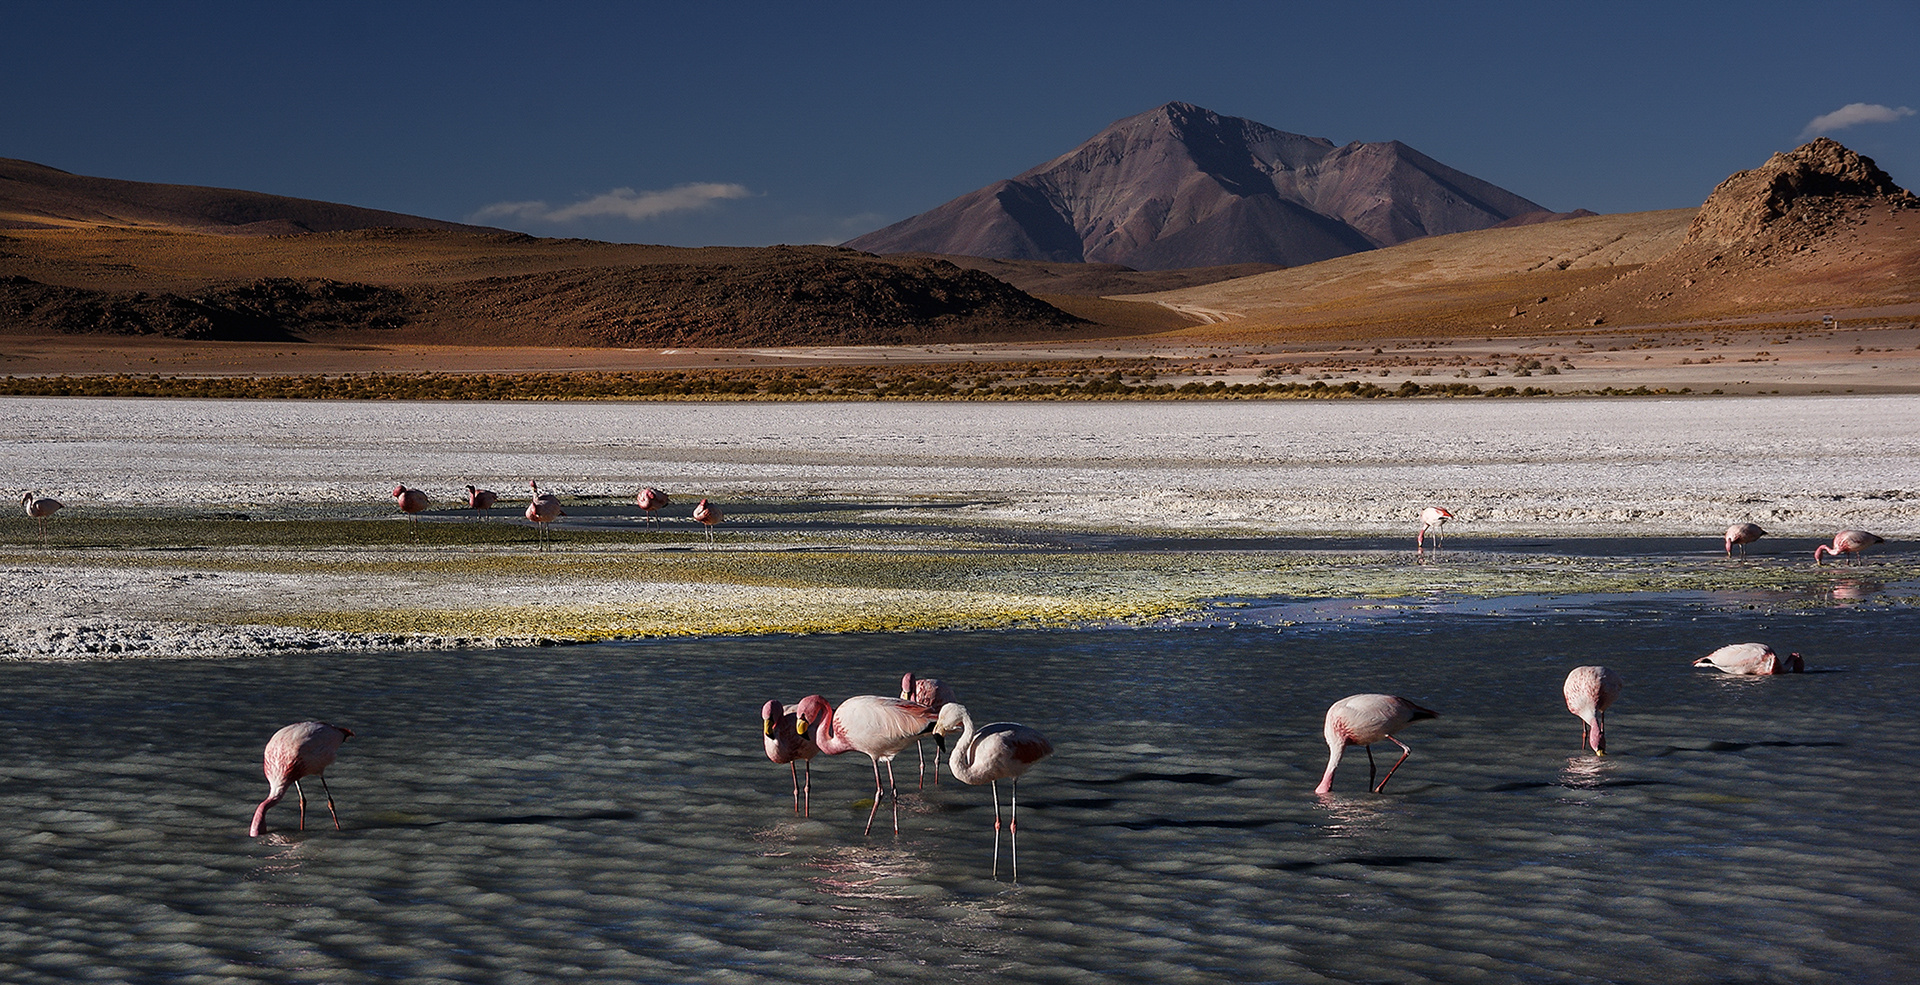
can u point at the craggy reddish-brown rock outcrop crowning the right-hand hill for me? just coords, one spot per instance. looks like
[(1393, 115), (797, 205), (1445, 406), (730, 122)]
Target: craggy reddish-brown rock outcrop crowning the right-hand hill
[(1813, 176)]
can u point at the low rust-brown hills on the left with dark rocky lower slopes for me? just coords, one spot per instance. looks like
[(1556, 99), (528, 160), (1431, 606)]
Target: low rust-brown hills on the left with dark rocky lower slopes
[(101, 256)]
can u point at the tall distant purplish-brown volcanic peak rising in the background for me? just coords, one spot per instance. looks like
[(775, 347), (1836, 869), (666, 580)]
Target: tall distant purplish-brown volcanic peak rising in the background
[(1184, 187)]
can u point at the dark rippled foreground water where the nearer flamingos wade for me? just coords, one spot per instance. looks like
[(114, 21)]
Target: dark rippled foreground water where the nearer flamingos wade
[(608, 815)]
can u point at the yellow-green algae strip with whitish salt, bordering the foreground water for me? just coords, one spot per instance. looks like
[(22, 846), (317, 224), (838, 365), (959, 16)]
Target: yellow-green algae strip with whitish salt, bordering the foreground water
[(477, 583)]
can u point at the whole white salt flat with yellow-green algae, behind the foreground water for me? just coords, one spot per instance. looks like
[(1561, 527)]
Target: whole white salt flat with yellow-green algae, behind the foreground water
[(243, 527)]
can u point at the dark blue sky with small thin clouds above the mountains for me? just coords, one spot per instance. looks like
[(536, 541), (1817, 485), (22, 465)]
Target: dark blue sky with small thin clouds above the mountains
[(757, 124)]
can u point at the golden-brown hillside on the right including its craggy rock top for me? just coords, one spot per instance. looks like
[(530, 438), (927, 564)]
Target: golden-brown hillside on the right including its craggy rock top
[(1819, 229)]
